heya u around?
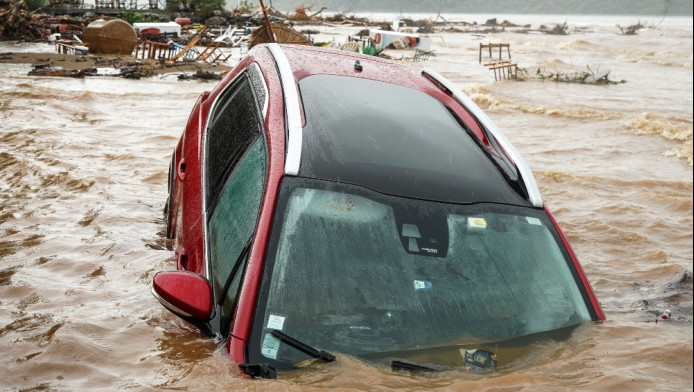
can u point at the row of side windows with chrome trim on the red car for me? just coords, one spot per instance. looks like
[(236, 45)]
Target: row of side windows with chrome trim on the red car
[(235, 177)]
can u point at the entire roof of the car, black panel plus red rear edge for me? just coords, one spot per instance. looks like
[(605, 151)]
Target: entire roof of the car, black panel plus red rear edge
[(386, 126)]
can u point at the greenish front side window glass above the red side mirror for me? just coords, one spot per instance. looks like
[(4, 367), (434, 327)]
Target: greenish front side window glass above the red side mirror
[(234, 218)]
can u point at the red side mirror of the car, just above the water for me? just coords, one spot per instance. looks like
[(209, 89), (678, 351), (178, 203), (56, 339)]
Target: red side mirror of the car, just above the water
[(186, 294)]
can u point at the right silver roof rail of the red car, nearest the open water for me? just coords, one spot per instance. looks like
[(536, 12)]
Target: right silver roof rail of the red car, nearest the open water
[(526, 174)]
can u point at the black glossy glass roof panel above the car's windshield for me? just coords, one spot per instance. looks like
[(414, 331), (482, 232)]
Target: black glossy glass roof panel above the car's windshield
[(396, 140)]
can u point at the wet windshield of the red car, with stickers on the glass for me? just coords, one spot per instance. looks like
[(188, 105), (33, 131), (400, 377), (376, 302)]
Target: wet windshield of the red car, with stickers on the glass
[(353, 271)]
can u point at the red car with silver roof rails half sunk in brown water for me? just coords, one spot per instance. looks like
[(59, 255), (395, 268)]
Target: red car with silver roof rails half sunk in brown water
[(324, 202)]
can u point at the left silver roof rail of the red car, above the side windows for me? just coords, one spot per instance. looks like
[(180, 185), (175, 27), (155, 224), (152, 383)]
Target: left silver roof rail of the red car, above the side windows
[(291, 105)]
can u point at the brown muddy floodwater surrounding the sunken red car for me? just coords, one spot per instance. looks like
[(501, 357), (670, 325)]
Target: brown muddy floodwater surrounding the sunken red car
[(83, 172)]
